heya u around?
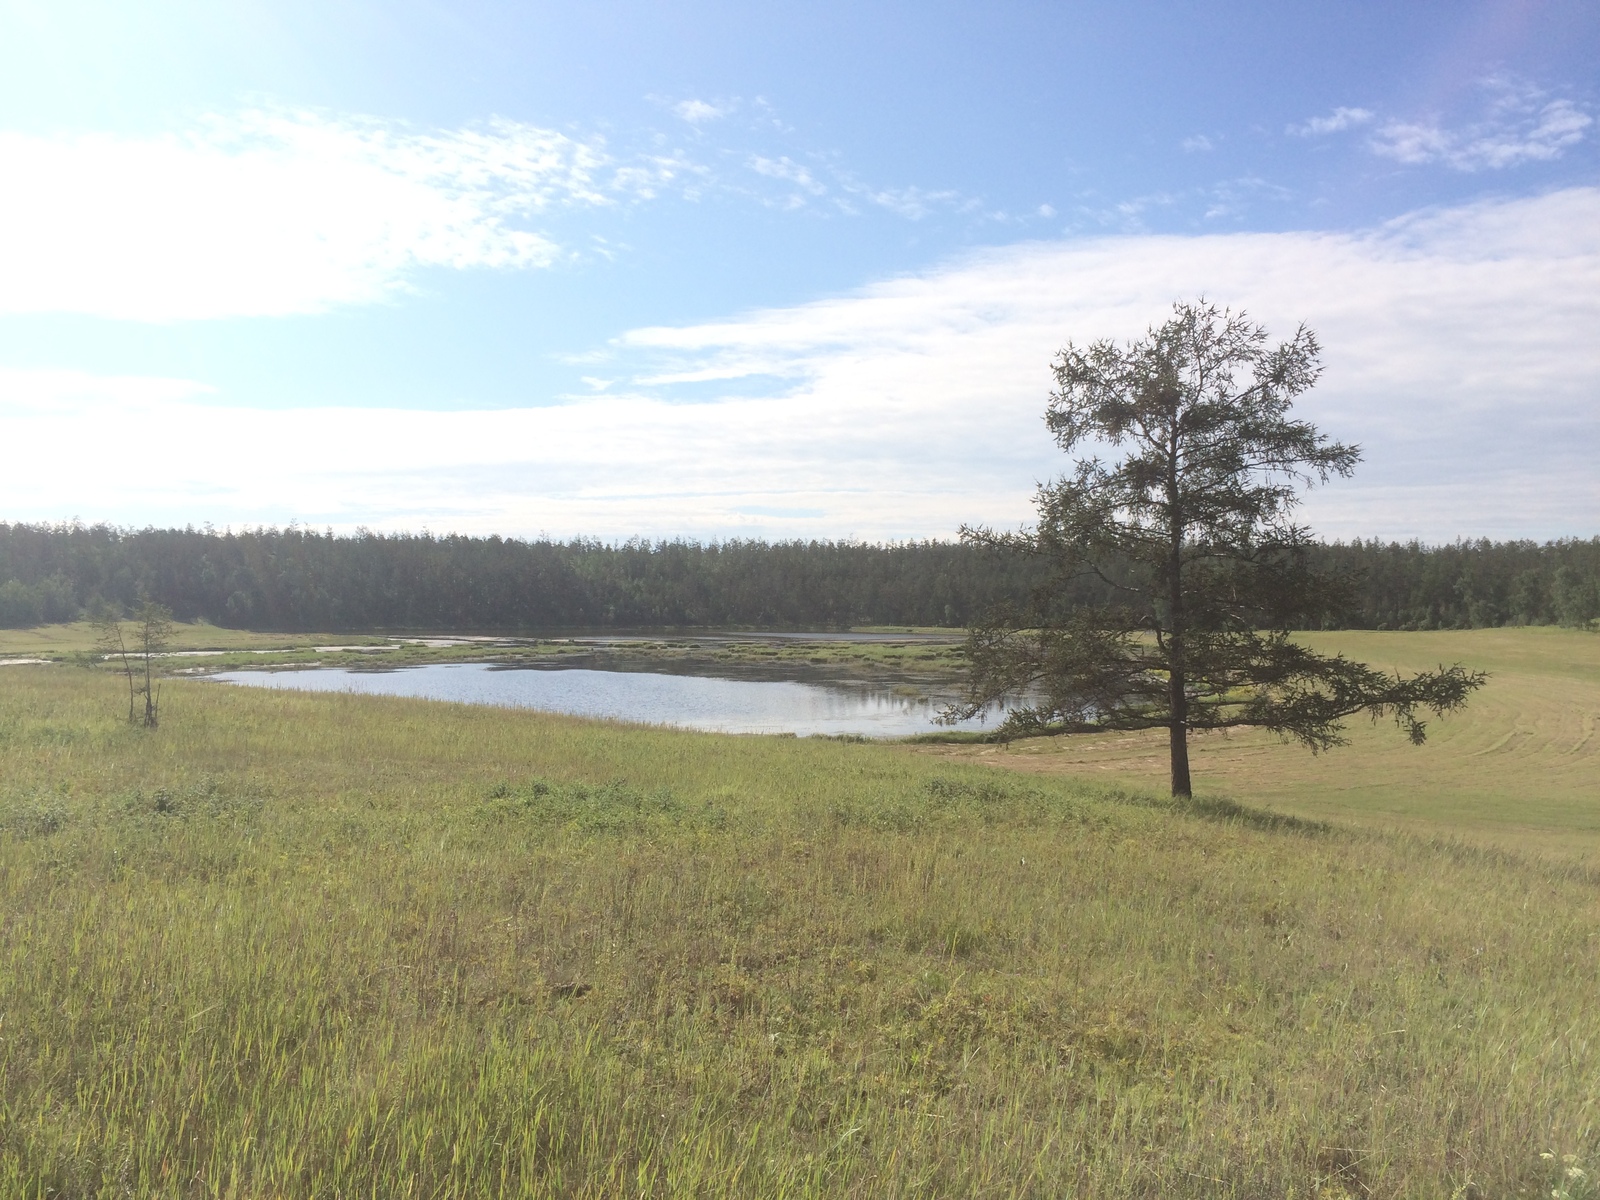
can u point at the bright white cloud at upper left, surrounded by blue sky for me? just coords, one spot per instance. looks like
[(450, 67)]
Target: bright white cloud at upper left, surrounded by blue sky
[(271, 214)]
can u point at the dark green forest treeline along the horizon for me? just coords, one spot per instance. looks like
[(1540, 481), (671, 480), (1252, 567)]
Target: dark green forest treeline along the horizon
[(302, 580)]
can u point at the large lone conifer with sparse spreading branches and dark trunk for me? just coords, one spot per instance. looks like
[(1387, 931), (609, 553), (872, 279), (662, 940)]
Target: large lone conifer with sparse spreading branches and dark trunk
[(1188, 530)]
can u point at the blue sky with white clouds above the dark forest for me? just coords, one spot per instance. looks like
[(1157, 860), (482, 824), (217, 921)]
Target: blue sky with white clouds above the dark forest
[(775, 271)]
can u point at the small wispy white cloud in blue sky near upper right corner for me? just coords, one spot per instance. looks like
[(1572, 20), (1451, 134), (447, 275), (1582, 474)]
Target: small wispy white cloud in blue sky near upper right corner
[(1521, 126)]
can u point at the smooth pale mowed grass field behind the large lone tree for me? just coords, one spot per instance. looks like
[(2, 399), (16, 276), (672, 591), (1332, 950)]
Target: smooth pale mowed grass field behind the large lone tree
[(1519, 766)]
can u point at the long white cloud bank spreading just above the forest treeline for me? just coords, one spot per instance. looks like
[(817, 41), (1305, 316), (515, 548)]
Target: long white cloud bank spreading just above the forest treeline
[(1460, 350)]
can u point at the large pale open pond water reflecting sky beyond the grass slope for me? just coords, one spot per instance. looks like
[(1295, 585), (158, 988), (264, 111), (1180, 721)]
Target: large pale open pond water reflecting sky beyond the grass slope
[(690, 702)]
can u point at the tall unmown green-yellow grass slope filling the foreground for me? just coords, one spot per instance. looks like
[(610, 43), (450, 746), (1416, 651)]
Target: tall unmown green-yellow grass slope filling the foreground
[(305, 946)]
